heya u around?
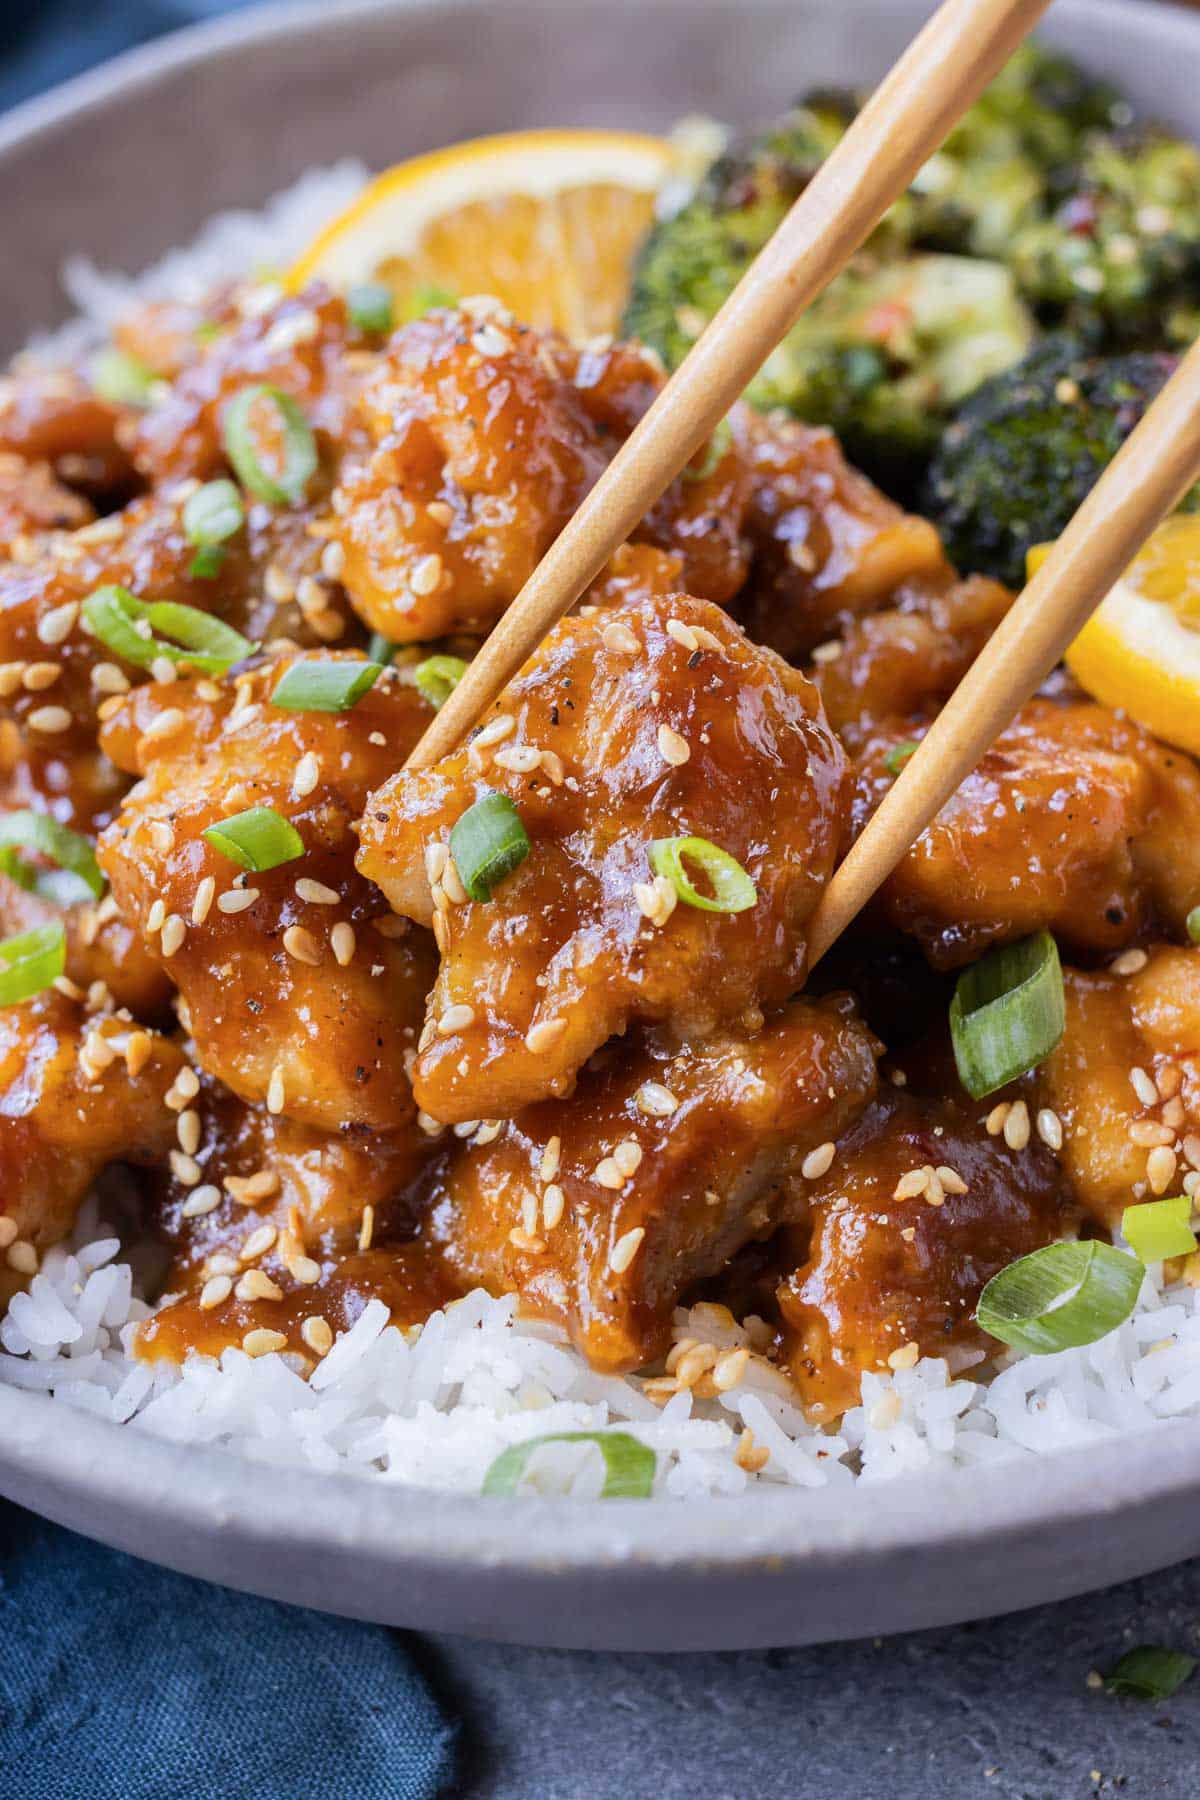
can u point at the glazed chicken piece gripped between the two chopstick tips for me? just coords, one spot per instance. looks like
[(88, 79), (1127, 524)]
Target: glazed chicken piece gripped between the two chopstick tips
[(654, 724)]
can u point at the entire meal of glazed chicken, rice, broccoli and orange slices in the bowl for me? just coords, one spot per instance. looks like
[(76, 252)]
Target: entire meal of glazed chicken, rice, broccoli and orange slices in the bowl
[(483, 1126)]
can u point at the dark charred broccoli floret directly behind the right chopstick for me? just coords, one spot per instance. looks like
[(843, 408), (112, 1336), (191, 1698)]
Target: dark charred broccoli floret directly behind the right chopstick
[(1026, 449)]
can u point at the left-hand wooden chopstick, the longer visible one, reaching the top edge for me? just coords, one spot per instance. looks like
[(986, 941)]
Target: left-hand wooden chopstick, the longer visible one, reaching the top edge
[(931, 87)]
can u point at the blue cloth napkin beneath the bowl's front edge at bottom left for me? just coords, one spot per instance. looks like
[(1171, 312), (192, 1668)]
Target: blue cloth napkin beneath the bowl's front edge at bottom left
[(125, 1682)]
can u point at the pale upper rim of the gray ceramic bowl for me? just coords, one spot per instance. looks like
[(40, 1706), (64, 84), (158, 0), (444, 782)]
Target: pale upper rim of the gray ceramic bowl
[(208, 1491)]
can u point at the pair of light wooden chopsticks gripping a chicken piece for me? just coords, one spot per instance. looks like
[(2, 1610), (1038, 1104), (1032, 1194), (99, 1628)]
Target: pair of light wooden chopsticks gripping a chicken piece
[(936, 80)]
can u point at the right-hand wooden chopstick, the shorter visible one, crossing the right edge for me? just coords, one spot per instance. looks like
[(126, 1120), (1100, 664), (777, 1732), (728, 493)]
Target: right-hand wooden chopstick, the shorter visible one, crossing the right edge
[(1149, 476)]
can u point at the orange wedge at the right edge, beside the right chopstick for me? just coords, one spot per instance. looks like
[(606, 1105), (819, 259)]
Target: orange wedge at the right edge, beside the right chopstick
[(1142, 647)]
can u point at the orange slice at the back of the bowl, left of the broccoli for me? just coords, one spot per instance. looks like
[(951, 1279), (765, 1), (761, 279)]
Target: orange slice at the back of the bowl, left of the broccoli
[(550, 222)]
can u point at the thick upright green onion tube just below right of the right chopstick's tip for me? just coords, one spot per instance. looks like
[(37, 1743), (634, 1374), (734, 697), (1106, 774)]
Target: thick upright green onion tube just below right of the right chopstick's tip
[(1008, 1012)]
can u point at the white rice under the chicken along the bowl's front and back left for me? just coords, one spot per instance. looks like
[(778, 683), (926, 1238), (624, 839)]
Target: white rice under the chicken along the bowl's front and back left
[(434, 1408)]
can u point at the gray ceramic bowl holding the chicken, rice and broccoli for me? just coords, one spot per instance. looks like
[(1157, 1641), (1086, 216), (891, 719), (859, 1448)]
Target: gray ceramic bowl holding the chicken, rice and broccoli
[(130, 161)]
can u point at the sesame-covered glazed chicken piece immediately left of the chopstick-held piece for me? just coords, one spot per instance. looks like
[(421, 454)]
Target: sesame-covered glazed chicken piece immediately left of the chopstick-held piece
[(292, 991)]
